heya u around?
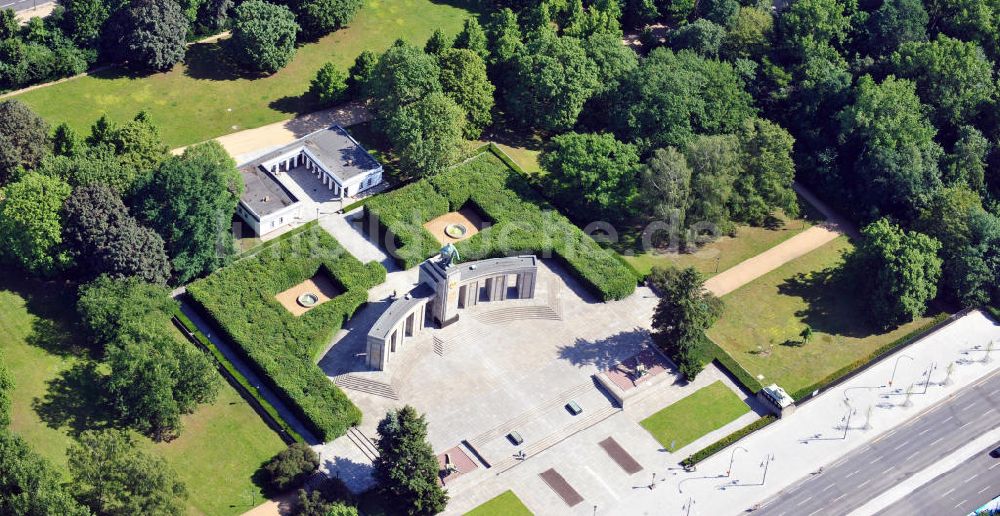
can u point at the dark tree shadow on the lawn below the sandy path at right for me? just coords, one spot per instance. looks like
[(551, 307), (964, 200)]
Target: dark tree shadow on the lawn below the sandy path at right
[(832, 306)]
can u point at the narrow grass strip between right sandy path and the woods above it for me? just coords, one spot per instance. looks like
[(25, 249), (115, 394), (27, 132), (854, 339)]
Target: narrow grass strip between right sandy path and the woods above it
[(727, 251)]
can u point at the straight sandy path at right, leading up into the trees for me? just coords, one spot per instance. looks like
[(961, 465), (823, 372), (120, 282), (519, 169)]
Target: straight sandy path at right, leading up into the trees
[(801, 244)]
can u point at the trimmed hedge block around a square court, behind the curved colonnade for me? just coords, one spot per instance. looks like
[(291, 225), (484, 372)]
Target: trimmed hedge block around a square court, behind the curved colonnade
[(523, 223)]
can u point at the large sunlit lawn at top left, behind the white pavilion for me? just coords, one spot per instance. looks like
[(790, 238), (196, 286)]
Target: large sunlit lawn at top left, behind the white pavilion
[(207, 98)]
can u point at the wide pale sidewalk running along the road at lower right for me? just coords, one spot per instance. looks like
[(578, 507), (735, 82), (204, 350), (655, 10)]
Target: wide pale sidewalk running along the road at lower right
[(814, 436)]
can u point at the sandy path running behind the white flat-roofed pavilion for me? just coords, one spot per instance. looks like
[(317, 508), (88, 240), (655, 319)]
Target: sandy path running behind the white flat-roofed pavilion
[(246, 145)]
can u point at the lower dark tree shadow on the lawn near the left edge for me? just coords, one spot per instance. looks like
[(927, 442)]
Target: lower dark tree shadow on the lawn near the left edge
[(74, 399)]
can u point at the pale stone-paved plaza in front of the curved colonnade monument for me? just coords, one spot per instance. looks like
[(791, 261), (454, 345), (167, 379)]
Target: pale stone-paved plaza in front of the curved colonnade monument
[(512, 366)]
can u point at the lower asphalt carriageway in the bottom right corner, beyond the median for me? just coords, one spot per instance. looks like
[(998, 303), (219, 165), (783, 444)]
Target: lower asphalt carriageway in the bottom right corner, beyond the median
[(959, 491)]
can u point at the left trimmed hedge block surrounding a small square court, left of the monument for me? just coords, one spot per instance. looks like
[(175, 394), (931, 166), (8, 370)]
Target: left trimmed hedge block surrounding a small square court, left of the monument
[(282, 347)]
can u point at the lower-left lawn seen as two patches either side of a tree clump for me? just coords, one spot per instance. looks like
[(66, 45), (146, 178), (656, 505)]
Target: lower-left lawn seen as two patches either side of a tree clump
[(220, 447)]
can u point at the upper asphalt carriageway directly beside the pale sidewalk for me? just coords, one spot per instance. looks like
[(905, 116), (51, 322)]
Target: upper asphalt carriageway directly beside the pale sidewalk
[(874, 468)]
